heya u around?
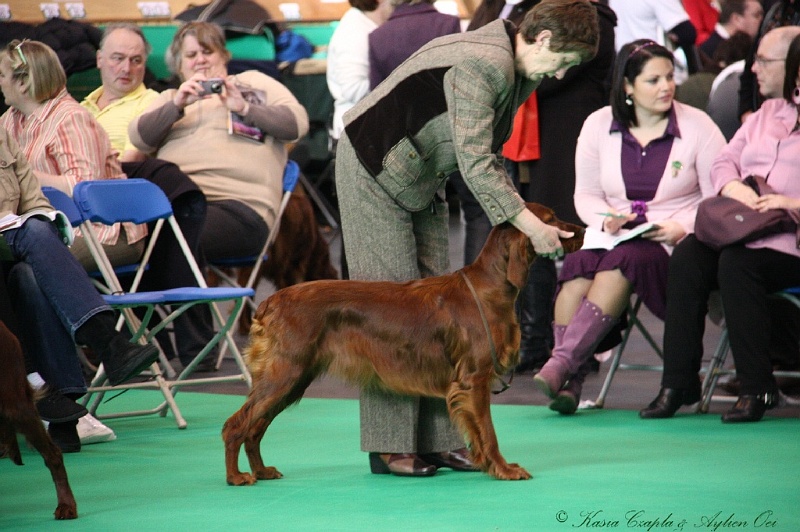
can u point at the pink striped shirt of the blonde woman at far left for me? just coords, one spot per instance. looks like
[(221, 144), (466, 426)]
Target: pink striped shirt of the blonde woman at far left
[(62, 138)]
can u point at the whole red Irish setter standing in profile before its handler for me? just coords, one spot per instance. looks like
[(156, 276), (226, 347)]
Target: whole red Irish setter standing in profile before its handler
[(423, 337)]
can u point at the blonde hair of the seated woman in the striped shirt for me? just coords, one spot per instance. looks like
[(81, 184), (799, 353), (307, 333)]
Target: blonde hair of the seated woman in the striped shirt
[(37, 66)]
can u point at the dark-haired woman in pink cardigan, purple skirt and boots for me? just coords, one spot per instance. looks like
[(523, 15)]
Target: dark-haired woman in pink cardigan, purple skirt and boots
[(645, 158)]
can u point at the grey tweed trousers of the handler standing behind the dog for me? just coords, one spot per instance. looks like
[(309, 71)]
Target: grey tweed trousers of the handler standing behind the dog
[(386, 242)]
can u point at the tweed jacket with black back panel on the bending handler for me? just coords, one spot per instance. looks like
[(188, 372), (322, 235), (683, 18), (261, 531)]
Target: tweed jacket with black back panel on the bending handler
[(449, 107)]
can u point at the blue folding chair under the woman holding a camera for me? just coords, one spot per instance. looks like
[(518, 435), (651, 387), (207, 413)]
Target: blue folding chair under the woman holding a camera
[(291, 174)]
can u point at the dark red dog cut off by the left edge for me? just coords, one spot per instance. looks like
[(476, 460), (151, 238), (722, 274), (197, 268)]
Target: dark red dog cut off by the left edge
[(18, 414)]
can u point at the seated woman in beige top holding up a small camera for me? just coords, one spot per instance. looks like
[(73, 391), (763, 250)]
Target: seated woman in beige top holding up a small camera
[(228, 133)]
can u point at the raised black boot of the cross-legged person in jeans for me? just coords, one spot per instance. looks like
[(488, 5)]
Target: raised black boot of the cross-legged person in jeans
[(121, 359)]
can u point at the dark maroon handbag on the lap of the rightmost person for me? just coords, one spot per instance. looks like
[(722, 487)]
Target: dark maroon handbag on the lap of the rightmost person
[(723, 221)]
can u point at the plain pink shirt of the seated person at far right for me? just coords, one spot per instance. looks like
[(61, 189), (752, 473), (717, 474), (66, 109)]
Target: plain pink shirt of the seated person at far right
[(768, 145)]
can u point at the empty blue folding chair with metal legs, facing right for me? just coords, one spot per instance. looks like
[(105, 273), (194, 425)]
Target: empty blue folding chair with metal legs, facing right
[(140, 201)]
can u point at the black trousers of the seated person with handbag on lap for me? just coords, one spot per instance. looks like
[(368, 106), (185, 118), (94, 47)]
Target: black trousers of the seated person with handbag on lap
[(758, 327)]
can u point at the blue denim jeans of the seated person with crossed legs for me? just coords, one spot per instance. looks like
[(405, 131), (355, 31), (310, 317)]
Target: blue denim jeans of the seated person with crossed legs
[(54, 299)]
